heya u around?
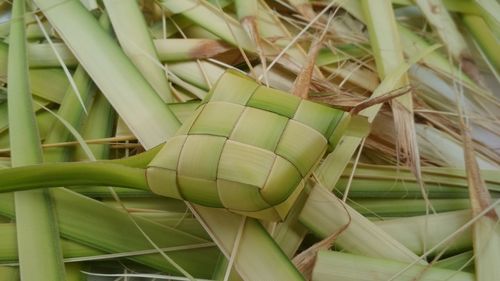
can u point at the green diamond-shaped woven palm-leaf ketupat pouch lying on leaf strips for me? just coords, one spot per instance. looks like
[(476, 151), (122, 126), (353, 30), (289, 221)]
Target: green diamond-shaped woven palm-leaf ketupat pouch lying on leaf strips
[(246, 148)]
